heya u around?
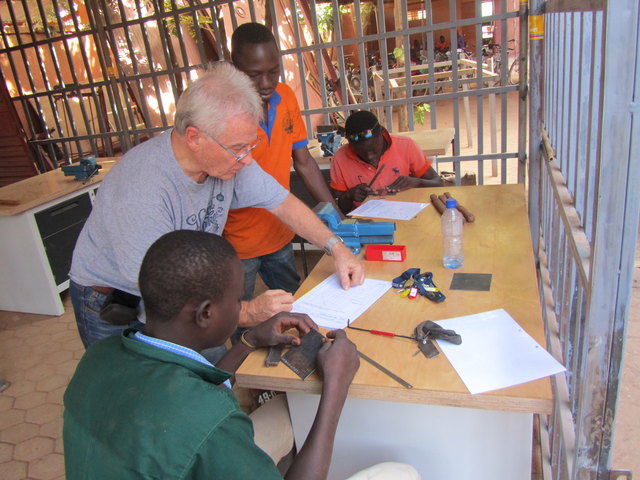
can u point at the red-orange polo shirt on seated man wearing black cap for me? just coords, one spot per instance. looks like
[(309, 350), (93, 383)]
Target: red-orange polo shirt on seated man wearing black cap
[(403, 157)]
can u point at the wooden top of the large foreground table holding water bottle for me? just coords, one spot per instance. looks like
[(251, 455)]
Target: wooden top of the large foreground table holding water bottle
[(499, 243)]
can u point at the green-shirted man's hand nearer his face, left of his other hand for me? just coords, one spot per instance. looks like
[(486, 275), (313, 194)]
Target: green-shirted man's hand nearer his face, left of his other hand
[(271, 332)]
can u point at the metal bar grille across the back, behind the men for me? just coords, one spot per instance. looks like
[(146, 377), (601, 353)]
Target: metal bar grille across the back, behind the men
[(98, 77)]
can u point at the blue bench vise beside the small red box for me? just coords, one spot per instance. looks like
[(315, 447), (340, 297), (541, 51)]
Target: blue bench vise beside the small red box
[(355, 233)]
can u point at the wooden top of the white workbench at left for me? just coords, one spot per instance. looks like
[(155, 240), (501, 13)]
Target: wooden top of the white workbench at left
[(35, 191)]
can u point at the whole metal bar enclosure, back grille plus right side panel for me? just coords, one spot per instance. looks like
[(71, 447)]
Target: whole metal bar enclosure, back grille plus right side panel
[(96, 77)]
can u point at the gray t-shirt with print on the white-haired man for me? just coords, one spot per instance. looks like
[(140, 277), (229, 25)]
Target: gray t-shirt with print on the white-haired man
[(144, 196)]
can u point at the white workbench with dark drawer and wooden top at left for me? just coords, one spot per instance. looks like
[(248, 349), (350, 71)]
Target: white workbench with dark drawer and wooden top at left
[(40, 219)]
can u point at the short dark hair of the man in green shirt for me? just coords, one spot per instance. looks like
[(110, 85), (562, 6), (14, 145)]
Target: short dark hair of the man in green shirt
[(184, 266)]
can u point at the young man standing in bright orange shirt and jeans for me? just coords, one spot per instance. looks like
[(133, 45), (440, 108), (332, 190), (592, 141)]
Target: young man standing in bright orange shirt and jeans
[(263, 242)]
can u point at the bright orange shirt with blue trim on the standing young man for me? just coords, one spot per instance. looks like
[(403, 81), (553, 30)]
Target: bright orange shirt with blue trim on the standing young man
[(254, 231)]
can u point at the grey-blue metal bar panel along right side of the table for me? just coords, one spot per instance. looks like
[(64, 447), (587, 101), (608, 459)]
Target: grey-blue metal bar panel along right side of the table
[(584, 205)]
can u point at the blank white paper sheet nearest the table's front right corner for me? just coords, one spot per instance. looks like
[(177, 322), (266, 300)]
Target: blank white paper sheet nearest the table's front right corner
[(495, 352)]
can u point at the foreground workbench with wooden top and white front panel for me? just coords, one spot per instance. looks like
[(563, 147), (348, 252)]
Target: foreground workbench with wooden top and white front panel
[(438, 422)]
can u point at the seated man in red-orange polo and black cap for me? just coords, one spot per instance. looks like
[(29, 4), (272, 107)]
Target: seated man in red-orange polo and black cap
[(396, 162)]
